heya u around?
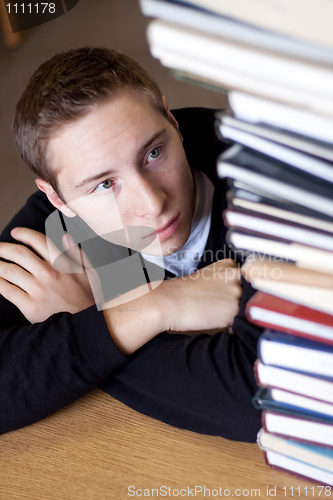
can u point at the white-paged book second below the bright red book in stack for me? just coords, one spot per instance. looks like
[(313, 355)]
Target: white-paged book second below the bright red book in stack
[(303, 384)]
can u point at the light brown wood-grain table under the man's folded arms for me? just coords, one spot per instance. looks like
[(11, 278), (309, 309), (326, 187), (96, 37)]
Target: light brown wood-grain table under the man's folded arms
[(98, 449)]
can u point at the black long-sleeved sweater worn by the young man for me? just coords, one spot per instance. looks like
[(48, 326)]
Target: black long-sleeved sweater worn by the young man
[(202, 383)]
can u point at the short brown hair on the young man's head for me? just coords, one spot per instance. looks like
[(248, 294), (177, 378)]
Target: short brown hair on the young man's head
[(65, 88)]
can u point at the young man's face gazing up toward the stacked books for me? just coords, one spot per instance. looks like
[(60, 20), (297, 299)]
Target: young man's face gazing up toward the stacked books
[(123, 165)]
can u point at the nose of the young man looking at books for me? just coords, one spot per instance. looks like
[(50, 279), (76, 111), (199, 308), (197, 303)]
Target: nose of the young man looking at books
[(148, 198)]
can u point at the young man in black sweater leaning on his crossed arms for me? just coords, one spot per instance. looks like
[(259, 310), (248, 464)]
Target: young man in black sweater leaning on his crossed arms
[(96, 131)]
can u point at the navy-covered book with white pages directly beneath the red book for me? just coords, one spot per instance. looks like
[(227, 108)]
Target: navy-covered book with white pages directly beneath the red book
[(294, 353)]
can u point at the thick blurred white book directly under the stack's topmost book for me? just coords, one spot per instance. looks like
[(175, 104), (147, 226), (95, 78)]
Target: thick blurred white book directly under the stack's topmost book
[(238, 66)]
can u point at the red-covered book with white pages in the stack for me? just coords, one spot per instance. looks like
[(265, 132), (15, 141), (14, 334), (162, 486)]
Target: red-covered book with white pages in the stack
[(279, 314)]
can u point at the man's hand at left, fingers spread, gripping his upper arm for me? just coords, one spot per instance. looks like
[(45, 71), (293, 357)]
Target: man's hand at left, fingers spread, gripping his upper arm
[(31, 283)]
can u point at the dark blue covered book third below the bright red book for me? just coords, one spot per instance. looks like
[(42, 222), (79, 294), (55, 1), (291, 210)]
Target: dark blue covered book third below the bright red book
[(287, 403)]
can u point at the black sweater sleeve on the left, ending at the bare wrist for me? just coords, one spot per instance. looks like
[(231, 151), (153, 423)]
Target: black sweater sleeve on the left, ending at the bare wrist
[(45, 366)]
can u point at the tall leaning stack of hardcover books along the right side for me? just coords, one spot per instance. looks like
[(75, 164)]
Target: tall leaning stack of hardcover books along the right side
[(275, 60)]
